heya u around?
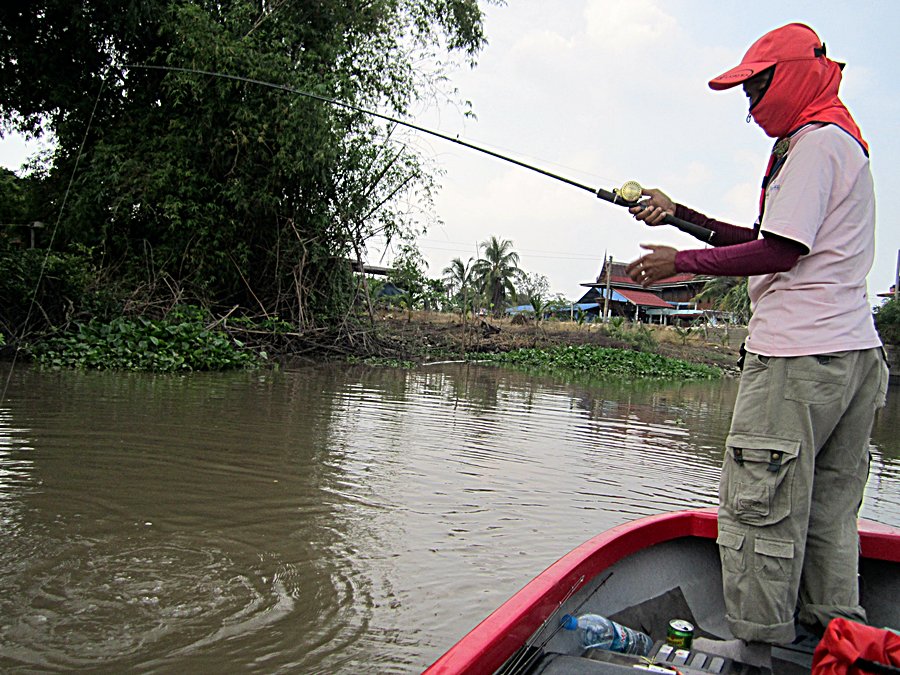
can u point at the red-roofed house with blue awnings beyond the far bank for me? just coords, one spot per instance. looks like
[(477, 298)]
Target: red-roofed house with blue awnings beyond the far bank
[(670, 300)]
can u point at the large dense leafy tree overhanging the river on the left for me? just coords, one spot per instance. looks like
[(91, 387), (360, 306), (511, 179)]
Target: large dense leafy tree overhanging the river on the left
[(237, 192)]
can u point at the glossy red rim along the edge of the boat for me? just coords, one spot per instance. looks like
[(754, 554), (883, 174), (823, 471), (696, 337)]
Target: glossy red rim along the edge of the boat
[(487, 646)]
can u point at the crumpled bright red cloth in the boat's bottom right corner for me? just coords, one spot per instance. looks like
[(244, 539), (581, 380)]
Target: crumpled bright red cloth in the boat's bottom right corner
[(846, 641)]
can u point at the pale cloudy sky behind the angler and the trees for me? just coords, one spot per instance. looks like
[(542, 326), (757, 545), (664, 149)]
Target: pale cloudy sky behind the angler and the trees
[(601, 92)]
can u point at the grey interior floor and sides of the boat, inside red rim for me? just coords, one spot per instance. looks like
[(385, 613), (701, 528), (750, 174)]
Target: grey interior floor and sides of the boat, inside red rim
[(647, 590)]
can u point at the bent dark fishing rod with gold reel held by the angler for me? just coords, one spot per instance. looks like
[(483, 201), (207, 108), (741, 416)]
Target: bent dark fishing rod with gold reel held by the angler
[(628, 195)]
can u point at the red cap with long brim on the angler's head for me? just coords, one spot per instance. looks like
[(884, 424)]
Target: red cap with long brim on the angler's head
[(794, 42)]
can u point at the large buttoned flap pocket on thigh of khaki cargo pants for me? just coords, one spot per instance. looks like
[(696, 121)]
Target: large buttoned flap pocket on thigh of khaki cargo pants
[(758, 477)]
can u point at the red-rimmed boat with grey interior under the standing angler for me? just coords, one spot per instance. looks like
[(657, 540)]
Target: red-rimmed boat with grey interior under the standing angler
[(643, 574)]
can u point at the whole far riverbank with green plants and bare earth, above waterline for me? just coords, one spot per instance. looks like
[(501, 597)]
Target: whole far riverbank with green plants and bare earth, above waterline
[(190, 340)]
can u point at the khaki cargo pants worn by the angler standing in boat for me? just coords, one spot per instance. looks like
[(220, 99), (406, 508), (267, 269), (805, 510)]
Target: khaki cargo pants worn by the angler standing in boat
[(796, 464)]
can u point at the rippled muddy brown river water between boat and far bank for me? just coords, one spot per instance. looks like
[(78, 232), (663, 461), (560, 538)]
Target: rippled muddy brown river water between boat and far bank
[(327, 520)]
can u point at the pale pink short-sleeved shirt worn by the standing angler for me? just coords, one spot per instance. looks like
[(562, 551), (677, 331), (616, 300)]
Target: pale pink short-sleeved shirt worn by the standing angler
[(824, 198)]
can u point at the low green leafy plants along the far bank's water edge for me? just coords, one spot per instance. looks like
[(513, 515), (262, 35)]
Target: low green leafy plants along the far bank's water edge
[(189, 339)]
